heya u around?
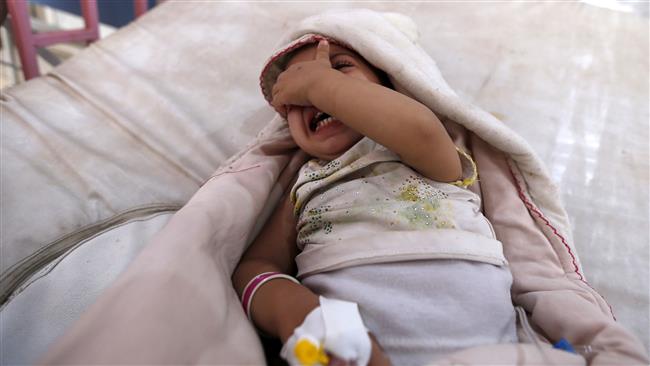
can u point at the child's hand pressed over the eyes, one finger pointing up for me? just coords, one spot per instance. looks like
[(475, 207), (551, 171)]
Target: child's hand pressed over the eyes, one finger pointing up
[(293, 85)]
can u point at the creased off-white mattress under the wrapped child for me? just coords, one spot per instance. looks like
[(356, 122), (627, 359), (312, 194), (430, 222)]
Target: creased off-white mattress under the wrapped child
[(99, 154)]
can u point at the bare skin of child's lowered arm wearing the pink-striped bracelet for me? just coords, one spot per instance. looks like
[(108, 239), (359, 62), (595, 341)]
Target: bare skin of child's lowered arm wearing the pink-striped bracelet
[(279, 306)]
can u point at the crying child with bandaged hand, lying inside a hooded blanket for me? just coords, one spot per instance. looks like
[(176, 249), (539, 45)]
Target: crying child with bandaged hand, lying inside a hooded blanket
[(385, 191)]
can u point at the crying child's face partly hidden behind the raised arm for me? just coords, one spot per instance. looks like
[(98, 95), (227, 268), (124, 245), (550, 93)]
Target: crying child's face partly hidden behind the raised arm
[(330, 139)]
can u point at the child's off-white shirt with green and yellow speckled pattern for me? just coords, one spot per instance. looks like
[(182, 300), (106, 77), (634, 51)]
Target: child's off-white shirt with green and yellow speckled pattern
[(368, 190)]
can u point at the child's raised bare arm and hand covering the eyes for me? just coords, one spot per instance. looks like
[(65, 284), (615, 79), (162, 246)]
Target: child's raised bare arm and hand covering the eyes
[(396, 121)]
